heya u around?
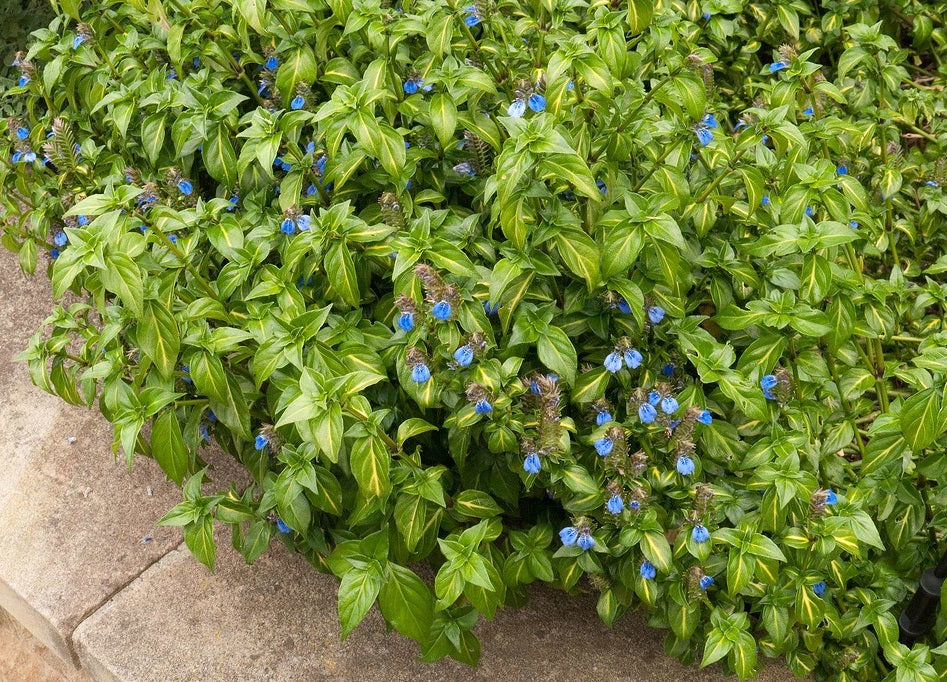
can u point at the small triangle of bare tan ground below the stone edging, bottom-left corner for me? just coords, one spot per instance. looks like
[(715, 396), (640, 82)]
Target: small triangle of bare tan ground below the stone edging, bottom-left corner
[(24, 659)]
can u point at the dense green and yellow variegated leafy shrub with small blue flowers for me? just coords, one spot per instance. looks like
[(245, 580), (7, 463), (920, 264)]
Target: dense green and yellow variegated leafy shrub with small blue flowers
[(647, 300)]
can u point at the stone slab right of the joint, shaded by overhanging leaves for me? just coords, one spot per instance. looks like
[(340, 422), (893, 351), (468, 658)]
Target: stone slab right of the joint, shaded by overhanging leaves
[(276, 621)]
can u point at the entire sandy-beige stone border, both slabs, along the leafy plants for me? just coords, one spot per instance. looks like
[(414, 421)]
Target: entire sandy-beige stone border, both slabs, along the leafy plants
[(83, 568)]
